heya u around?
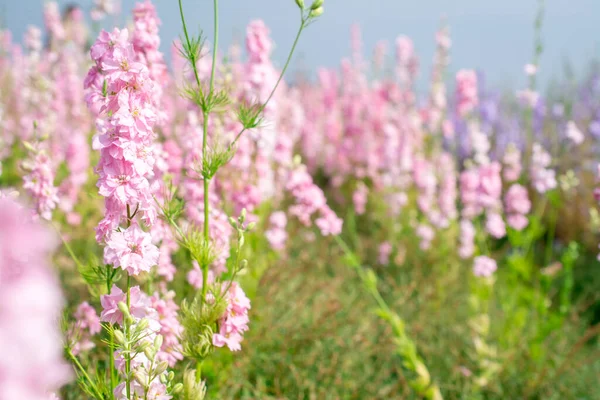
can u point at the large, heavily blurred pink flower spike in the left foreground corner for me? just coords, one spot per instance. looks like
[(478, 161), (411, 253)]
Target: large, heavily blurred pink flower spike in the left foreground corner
[(31, 366)]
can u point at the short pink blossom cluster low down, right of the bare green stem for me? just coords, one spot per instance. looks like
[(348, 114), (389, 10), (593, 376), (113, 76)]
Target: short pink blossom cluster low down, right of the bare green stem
[(234, 322)]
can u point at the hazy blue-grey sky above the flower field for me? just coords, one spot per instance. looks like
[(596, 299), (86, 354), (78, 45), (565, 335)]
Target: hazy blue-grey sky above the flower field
[(495, 37)]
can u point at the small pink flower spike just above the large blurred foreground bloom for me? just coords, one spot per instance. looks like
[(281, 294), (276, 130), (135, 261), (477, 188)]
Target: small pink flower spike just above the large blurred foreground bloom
[(39, 182)]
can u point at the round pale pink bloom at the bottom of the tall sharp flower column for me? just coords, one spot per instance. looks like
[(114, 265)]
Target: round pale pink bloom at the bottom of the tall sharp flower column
[(131, 250)]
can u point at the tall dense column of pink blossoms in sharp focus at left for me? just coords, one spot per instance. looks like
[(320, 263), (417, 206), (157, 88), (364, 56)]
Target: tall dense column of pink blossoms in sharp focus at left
[(124, 137)]
